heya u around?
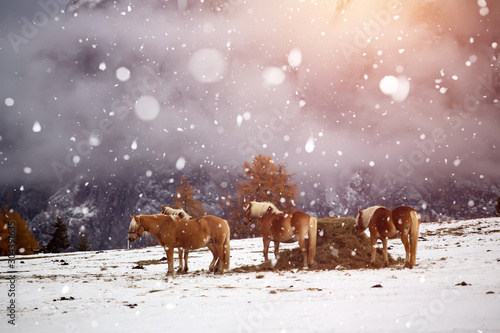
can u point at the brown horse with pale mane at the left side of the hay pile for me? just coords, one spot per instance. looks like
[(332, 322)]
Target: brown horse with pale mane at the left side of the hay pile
[(287, 228)]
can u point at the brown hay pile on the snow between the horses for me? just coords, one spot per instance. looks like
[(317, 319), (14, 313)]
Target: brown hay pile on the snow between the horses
[(339, 246)]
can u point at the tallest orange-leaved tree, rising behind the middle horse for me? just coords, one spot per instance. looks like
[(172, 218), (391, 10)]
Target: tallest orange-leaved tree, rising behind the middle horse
[(263, 180)]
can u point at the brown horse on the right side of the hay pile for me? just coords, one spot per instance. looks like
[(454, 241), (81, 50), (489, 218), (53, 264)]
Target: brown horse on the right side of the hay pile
[(384, 224)]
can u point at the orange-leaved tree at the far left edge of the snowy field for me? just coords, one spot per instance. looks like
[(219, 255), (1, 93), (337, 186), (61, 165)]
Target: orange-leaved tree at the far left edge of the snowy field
[(15, 236)]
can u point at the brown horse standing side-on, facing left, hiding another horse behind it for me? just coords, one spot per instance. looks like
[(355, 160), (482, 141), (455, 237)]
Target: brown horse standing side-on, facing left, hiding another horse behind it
[(171, 232)]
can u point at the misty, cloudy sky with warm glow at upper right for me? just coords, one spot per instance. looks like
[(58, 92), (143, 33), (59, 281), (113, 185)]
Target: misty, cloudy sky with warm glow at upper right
[(406, 91)]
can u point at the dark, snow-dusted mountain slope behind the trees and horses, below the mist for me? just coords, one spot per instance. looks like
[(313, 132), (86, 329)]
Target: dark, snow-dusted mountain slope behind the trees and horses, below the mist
[(100, 208)]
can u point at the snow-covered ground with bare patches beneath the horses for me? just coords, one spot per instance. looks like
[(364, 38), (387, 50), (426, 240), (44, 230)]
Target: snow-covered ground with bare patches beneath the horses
[(101, 292)]
